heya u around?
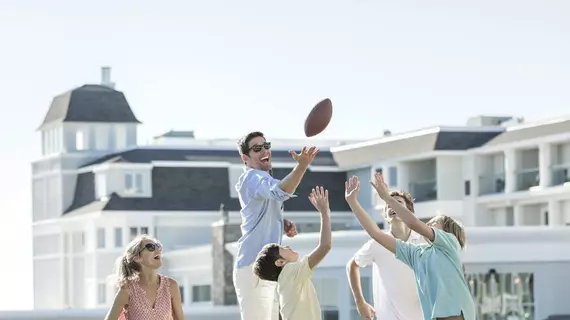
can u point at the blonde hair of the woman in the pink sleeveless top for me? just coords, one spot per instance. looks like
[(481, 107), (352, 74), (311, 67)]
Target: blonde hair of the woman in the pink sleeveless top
[(127, 269)]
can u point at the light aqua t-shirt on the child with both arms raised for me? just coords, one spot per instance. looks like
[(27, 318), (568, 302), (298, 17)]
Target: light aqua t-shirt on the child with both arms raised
[(439, 276)]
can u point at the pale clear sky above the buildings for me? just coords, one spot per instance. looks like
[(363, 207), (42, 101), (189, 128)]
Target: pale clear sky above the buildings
[(222, 68)]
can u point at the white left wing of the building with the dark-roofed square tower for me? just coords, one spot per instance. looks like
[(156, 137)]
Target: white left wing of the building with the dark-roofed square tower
[(94, 189)]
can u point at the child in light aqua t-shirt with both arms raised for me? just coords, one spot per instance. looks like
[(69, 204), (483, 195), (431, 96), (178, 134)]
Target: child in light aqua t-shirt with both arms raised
[(442, 289)]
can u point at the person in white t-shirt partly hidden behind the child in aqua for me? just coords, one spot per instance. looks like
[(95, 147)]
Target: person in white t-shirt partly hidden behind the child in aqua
[(395, 293)]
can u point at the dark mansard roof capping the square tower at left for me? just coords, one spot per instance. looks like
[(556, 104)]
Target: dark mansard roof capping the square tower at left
[(90, 103)]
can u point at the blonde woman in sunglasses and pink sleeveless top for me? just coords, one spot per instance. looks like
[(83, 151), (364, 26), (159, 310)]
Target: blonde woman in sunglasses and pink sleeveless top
[(144, 294)]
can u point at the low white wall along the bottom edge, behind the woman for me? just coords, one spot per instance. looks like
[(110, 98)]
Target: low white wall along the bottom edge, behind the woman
[(194, 313)]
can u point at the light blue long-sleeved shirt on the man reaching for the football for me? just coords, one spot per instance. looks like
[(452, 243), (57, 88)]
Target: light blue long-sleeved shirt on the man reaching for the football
[(261, 201)]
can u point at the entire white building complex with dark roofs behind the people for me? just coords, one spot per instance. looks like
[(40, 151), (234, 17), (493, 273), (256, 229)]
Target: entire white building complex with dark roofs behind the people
[(94, 189)]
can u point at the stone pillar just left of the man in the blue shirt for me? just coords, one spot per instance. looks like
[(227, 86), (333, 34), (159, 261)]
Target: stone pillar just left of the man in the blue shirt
[(223, 291)]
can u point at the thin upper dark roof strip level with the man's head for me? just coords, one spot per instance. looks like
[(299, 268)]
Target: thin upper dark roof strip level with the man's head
[(147, 155)]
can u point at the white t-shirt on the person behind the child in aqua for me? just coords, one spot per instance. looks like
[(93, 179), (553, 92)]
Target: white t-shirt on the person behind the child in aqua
[(394, 287)]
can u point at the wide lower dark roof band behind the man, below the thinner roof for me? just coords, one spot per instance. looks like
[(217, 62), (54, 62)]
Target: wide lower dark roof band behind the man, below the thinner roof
[(198, 189)]
